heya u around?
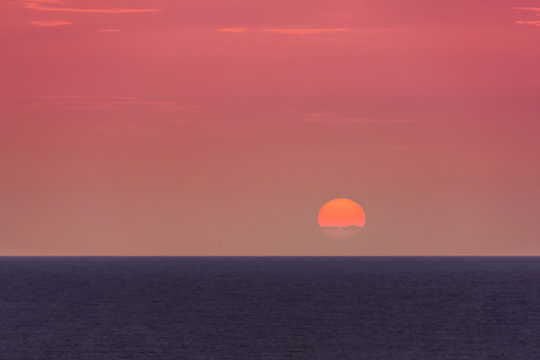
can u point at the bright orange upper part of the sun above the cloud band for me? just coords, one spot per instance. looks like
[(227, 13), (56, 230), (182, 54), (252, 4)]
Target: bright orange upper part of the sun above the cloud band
[(342, 212)]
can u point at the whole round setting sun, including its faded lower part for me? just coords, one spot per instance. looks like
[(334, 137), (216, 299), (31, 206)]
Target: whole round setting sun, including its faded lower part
[(341, 217)]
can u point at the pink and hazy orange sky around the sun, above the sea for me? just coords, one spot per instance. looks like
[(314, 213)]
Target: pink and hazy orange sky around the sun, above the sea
[(205, 127)]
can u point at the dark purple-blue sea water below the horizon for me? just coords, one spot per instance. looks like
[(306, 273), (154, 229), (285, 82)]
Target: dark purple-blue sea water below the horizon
[(270, 308)]
